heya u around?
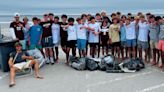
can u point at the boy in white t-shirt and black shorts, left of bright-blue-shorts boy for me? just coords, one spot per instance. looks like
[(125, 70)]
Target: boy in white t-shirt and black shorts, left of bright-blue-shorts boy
[(72, 38)]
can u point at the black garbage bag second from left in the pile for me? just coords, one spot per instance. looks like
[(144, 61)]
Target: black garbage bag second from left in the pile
[(91, 64)]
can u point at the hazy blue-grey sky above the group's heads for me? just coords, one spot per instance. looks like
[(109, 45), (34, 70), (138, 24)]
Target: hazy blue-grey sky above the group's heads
[(80, 6)]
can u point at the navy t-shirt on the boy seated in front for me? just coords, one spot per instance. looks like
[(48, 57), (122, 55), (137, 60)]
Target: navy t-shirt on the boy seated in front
[(19, 57)]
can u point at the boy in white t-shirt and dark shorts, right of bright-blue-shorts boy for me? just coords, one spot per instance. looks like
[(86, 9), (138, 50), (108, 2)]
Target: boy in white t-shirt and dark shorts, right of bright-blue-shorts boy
[(94, 30)]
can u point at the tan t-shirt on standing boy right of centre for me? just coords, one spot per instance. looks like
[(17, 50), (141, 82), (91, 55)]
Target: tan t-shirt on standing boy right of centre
[(114, 33)]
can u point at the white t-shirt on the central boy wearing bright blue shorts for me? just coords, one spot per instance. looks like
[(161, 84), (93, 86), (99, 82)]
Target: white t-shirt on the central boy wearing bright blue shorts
[(81, 33)]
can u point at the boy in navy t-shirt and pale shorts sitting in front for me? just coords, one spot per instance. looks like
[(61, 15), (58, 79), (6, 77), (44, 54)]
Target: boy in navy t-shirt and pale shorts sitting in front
[(20, 60)]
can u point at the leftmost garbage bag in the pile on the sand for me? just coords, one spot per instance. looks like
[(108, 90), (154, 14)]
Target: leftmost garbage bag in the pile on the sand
[(80, 64)]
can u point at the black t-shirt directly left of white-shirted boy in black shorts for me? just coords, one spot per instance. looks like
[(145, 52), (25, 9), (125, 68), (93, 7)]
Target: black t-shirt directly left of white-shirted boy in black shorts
[(63, 32)]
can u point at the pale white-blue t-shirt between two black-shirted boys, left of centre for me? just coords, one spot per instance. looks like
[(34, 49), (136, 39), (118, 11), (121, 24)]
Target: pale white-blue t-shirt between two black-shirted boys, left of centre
[(56, 33)]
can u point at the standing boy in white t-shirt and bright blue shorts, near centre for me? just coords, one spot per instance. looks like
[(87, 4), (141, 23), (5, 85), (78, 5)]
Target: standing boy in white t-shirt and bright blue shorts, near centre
[(81, 37)]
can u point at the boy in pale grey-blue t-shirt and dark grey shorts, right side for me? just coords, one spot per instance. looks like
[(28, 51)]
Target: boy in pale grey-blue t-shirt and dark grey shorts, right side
[(143, 33)]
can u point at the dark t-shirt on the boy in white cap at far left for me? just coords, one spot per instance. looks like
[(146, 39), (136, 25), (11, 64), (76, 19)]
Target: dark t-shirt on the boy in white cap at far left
[(18, 30)]
